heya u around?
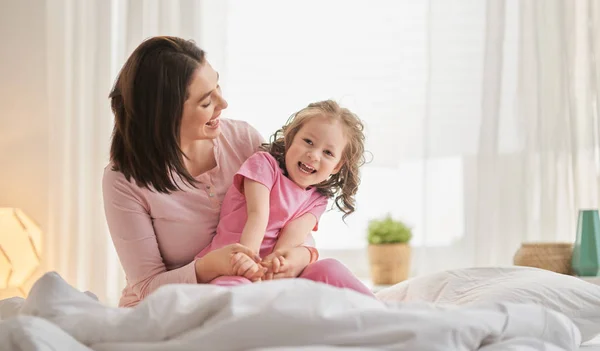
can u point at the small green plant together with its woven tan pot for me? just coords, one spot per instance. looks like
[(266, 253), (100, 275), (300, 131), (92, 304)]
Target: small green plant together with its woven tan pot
[(389, 250)]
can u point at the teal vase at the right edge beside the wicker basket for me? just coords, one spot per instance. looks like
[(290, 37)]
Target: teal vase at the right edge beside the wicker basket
[(586, 251)]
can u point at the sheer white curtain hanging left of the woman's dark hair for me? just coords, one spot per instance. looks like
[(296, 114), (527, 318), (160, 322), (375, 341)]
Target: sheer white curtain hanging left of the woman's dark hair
[(79, 66)]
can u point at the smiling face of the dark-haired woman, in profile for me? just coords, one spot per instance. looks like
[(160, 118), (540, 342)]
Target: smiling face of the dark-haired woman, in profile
[(201, 110)]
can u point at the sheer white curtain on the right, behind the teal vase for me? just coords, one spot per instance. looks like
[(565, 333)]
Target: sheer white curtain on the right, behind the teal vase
[(538, 148)]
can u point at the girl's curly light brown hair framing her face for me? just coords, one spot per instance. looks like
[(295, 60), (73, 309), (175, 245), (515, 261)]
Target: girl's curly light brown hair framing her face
[(344, 184)]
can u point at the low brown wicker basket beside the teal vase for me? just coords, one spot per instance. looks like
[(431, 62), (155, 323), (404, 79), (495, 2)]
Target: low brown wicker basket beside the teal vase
[(555, 257)]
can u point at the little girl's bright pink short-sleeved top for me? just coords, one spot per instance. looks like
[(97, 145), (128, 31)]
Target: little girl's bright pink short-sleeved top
[(287, 201)]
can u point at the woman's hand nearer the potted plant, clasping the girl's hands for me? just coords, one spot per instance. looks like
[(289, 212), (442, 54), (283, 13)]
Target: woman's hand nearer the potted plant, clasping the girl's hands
[(287, 263)]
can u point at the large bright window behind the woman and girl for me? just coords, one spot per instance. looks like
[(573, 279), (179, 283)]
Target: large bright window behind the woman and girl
[(375, 58)]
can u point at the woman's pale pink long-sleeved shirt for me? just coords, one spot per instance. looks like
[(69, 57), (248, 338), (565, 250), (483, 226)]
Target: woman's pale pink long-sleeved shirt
[(157, 235)]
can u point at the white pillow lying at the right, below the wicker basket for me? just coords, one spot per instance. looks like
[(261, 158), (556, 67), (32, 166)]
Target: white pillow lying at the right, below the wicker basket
[(574, 297)]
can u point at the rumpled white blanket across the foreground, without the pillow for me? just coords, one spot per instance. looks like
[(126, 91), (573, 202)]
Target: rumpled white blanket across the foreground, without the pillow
[(279, 315)]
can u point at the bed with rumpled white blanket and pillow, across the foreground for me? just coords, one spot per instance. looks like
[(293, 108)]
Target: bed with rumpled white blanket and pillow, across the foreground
[(487, 309)]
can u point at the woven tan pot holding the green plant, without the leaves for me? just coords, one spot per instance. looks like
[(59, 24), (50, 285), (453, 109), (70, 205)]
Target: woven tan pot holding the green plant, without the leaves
[(390, 263)]
